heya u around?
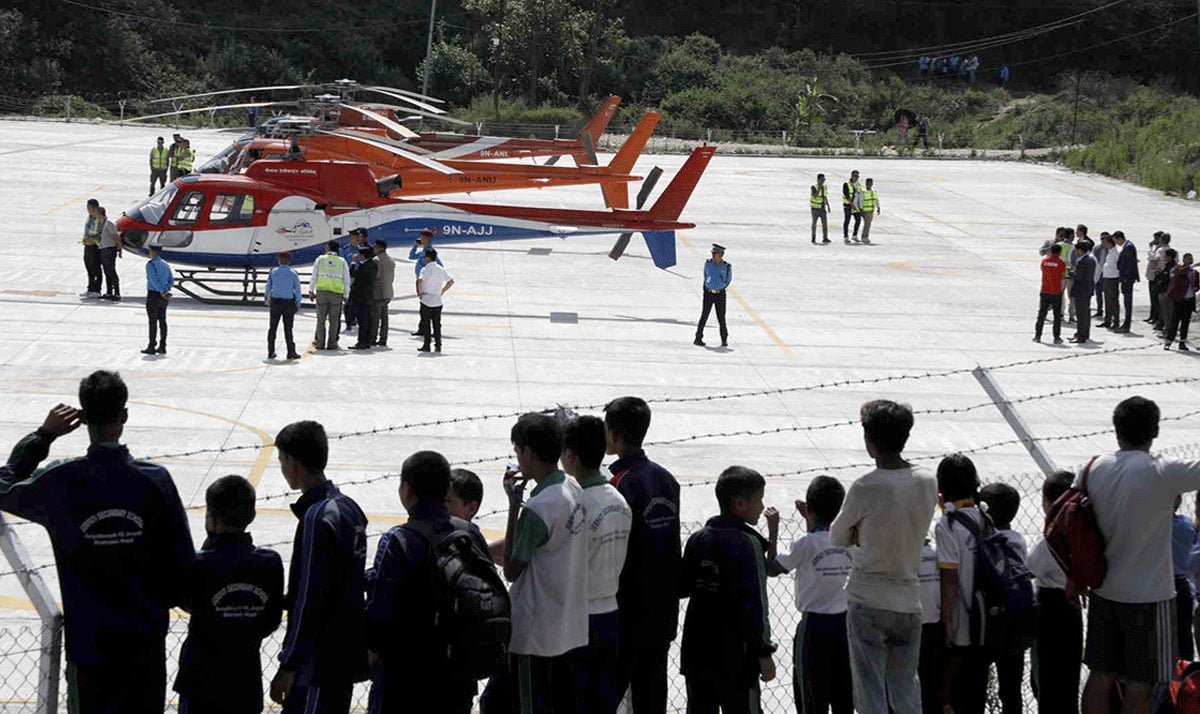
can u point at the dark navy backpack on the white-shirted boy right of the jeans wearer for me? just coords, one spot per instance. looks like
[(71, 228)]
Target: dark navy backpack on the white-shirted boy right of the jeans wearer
[(1004, 607)]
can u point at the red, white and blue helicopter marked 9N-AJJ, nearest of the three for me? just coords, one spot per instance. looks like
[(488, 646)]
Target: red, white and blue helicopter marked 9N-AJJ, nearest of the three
[(231, 227)]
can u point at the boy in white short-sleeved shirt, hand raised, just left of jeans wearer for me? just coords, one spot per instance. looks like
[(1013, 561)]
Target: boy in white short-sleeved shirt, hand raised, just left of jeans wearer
[(821, 675)]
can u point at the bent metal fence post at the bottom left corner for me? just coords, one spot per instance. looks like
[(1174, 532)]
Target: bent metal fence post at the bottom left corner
[(51, 656)]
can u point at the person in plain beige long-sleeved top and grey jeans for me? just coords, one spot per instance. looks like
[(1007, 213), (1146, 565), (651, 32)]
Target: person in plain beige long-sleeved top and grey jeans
[(887, 515)]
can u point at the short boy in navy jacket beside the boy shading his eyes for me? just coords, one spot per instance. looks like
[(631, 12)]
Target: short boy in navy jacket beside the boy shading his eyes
[(236, 601)]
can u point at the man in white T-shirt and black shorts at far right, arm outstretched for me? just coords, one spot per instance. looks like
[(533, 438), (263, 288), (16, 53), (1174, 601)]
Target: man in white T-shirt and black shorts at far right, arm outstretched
[(1131, 617)]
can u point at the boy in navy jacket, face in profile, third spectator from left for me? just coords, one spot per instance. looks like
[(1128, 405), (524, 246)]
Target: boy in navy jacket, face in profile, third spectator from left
[(325, 651)]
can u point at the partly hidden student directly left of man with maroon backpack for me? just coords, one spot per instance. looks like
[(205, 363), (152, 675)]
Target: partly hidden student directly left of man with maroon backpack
[(1060, 644)]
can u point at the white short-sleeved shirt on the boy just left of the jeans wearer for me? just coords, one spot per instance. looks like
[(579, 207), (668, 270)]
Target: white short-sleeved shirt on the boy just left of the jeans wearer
[(821, 572)]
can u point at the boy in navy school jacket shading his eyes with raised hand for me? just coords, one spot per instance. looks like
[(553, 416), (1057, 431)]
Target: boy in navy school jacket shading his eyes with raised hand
[(122, 545)]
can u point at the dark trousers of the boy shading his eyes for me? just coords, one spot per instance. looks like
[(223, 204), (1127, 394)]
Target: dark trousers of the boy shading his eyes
[(133, 683)]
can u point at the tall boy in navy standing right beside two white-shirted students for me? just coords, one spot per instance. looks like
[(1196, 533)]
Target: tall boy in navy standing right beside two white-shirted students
[(647, 597)]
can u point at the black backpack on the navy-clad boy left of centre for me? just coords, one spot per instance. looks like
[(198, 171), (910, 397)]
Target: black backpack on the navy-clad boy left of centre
[(475, 614)]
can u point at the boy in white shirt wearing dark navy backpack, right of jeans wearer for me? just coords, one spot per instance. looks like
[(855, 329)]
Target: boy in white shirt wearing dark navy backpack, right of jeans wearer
[(965, 677)]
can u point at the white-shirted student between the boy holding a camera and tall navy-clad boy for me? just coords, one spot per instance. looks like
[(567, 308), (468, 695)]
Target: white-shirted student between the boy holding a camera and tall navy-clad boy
[(609, 521)]
